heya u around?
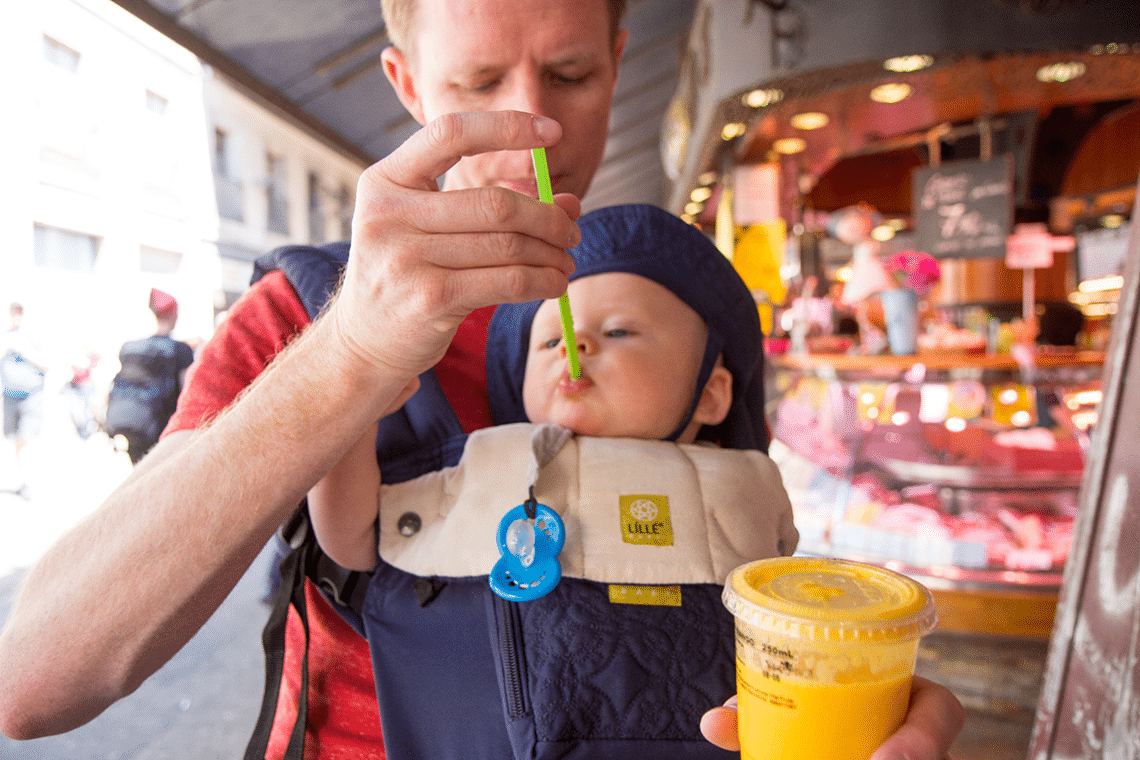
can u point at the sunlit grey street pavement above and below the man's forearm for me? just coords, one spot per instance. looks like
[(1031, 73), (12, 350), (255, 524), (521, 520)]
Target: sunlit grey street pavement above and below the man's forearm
[(202, 705)]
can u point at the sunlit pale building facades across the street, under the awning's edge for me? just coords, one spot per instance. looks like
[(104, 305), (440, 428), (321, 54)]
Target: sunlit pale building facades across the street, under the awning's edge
[(131, 166)]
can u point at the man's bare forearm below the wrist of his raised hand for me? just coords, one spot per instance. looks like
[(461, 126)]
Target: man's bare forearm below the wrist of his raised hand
[(127, 589)]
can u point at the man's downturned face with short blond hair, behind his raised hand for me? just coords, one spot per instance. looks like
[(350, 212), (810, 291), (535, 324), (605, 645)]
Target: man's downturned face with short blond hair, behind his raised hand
[(548, 58)]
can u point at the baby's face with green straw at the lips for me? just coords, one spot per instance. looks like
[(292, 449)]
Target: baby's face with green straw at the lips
[(640, 348)]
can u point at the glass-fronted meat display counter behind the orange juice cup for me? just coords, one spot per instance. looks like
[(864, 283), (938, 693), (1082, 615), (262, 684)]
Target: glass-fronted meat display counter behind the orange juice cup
[(959, 470)]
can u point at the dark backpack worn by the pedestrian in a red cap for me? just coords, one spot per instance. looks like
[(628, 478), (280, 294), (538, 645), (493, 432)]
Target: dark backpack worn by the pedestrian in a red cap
[(145, 391)]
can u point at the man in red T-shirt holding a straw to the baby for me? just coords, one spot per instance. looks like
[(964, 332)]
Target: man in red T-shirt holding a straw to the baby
[(491, 79)]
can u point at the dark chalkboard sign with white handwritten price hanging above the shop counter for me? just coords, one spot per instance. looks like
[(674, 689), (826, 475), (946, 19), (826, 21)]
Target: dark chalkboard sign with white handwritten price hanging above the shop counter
[(964, 209)]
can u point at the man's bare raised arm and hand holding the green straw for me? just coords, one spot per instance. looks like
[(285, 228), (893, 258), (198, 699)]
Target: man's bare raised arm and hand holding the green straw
[(128, 587)]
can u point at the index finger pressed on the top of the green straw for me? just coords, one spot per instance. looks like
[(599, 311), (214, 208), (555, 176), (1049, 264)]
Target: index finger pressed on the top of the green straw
[(438, 146)]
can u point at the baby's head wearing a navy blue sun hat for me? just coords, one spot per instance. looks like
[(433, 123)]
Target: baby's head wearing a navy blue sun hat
[(695, 310)]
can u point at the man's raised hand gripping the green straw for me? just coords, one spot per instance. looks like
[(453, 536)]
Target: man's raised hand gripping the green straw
[(422, 259)]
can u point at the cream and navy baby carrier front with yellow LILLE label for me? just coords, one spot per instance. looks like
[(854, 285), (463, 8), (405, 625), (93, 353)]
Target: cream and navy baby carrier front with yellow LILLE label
[(632, 645)]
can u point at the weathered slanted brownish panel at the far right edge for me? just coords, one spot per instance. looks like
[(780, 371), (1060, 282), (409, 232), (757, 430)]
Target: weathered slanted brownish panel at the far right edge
[(1092, 694)]
